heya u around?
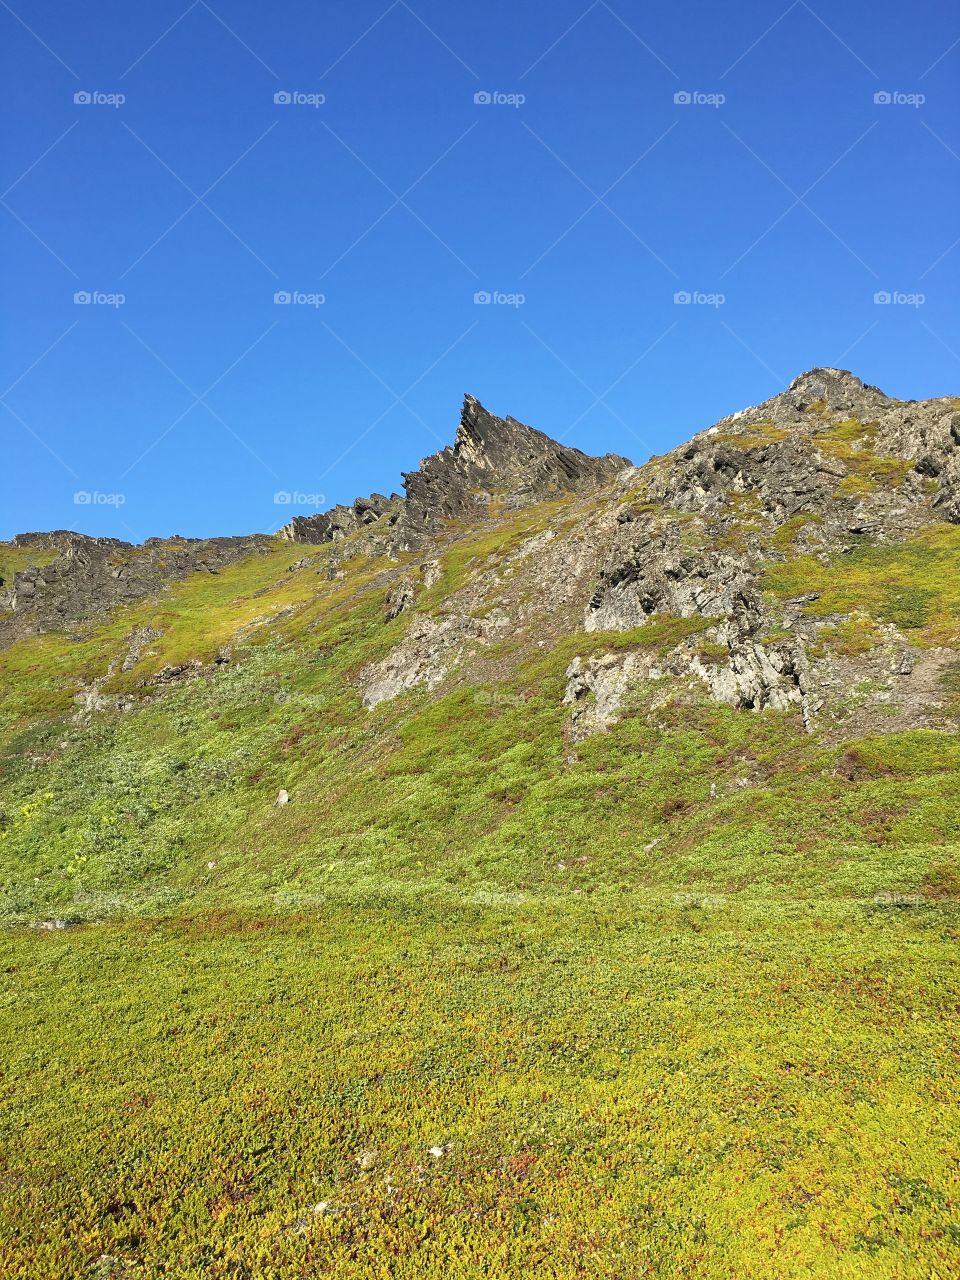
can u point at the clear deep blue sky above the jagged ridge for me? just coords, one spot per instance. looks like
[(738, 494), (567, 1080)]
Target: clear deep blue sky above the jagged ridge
[(778, 194)]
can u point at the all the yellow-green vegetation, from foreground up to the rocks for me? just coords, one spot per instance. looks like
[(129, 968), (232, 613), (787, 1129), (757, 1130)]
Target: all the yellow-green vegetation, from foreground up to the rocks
[(668, 1032)]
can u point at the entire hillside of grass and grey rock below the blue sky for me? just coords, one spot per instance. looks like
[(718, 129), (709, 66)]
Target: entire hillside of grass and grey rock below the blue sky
[(550, 870)]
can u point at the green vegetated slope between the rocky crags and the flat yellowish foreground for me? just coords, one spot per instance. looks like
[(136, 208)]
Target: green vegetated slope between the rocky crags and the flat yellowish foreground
[(437, 796)]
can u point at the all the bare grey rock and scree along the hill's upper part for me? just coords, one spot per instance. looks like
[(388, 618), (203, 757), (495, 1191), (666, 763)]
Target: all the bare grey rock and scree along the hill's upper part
[(742, 541)]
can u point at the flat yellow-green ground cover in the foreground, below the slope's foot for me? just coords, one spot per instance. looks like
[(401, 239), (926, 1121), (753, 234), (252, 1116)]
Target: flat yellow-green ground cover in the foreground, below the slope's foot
[(680, 1092)]
